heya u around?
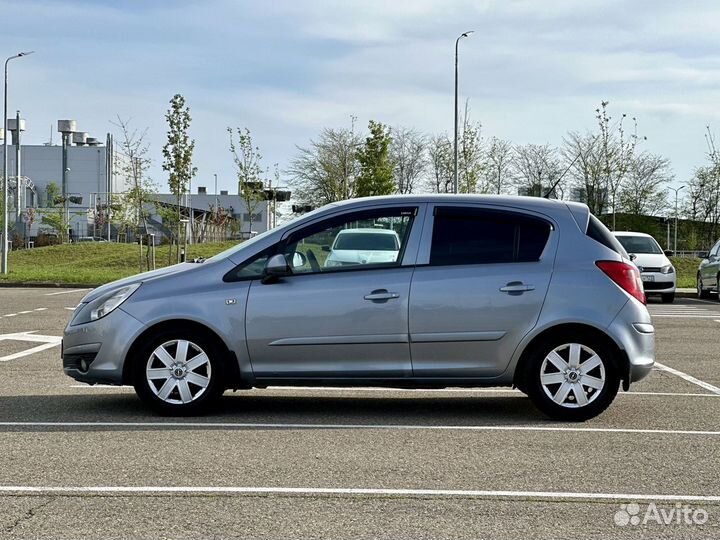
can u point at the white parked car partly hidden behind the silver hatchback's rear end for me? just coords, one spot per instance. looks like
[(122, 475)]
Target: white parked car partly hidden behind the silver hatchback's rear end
[(657, 272)]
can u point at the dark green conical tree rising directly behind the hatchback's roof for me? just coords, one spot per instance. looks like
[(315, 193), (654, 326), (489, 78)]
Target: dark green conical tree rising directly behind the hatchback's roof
[(376, 167)]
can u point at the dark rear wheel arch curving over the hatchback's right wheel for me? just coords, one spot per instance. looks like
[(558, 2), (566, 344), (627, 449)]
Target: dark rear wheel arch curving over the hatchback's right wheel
[(572, 329)]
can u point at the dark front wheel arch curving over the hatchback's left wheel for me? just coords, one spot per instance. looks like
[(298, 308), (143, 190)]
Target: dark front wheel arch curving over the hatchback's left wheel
[(184, 325)]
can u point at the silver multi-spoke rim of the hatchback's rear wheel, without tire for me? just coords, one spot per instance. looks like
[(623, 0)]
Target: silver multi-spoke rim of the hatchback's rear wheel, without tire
[(572, 375)]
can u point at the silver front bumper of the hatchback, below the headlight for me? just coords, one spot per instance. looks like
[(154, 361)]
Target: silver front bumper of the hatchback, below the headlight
[(95, 352)]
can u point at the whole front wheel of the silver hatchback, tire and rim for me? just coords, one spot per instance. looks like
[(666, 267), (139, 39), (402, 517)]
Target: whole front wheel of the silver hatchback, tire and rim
[(179, 373)]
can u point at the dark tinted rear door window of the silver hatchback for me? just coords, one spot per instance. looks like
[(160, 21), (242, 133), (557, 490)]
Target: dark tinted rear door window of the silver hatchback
[(476, 236)]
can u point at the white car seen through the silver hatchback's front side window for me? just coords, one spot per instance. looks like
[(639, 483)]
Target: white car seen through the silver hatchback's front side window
[(363, 246)]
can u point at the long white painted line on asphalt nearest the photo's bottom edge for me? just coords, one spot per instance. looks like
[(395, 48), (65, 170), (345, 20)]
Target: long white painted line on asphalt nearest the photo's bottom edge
[(238, 490)]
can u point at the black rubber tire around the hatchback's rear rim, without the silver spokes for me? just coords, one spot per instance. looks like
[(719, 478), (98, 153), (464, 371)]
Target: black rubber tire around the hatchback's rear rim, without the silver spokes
[(597, 402)]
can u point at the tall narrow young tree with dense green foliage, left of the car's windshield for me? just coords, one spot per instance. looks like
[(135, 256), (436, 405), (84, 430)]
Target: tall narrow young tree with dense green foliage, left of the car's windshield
[(177, 156)]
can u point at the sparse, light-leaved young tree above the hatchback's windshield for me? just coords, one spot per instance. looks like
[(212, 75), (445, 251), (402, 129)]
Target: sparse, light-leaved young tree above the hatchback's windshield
[(248, 169)]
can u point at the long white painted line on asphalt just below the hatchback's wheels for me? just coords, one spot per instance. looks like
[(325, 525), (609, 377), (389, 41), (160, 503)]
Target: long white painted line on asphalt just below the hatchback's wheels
[(389, 427)]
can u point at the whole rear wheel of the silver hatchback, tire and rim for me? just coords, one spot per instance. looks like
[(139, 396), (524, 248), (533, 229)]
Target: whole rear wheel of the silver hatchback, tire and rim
[(572, 379)]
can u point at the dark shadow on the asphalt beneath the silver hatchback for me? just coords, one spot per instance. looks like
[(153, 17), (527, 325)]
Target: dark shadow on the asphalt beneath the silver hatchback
[(255, 408)]
